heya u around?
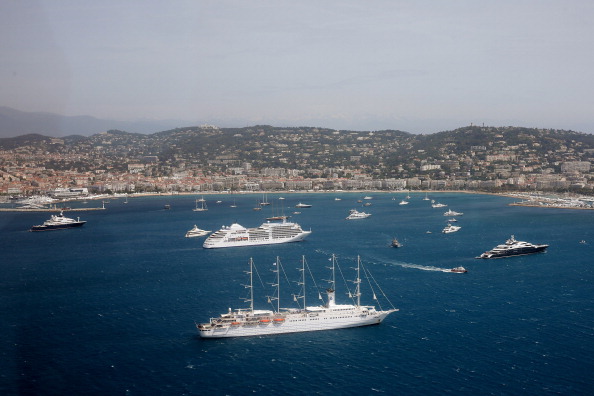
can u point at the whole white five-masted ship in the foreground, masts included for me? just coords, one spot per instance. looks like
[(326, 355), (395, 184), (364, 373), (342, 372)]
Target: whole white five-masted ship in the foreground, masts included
[(251, 322)]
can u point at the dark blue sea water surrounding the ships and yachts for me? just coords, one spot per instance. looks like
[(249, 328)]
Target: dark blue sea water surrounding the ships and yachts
[(109, 309)]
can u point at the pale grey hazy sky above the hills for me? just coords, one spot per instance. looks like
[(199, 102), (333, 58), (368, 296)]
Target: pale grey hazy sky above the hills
[(419, 65)]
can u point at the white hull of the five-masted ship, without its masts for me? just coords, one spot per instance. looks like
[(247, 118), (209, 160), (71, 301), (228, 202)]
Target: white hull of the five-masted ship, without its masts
[(297, 324)]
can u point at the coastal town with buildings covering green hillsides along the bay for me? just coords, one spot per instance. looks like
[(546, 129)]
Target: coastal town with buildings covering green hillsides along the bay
[(208, 159)]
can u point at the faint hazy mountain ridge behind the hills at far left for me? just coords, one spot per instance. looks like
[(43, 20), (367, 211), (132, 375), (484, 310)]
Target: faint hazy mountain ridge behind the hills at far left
[(16, 123)]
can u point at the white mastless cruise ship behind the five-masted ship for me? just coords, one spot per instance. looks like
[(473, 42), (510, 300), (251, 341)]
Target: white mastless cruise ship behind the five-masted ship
[(268, 233)]
